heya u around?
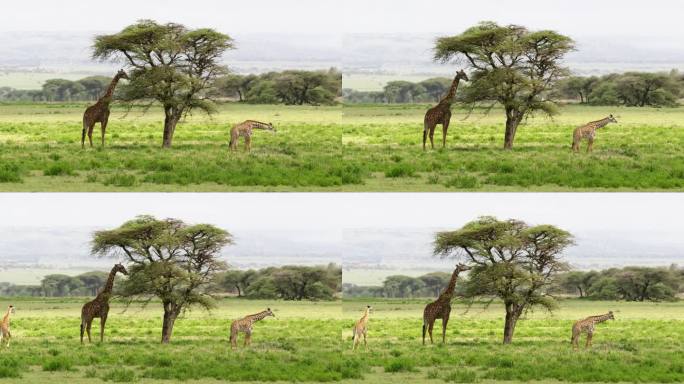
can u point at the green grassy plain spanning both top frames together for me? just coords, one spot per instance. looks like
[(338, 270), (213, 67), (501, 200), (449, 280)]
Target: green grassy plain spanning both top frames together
[(340, 148)]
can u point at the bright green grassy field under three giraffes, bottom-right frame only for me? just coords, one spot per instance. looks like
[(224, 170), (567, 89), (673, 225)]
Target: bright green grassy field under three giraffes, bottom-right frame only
[(643, 344)]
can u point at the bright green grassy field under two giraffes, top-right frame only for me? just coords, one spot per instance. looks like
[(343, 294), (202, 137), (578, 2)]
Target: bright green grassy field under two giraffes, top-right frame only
[(642, 152)]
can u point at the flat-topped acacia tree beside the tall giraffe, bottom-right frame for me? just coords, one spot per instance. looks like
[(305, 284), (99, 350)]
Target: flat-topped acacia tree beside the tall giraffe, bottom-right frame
[(510, 260)]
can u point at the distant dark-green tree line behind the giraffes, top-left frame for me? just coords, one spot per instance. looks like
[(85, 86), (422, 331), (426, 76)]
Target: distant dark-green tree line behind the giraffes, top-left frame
[(291, 87)]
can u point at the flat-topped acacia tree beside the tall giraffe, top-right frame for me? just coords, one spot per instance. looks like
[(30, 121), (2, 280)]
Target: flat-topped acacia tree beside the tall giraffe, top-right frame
[(510, 65)]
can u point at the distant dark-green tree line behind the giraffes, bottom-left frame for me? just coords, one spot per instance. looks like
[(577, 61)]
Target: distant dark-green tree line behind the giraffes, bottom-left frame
[(287, 283)]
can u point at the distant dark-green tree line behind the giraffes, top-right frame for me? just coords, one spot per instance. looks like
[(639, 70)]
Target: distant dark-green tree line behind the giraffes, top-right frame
[(632, 89)]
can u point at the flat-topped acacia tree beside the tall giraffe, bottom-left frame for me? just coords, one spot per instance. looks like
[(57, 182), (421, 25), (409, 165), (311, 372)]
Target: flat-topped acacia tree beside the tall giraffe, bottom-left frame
[(167, 259)]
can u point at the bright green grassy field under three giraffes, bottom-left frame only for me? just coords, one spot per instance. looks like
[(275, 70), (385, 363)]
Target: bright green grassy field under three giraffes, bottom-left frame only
[(301, 344)]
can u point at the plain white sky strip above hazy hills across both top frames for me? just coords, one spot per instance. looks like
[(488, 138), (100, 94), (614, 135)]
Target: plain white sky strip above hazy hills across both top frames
[(575, 17)]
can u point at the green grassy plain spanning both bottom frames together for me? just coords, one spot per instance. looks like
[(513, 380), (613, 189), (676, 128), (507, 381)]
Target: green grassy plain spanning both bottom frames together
[(311, 342)]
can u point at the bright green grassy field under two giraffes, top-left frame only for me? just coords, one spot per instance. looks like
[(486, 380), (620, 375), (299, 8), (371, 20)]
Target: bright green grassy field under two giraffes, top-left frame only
[(40, 151)]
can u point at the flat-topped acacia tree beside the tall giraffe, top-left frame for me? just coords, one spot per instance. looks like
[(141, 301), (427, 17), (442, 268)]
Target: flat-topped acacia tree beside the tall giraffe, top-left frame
[(170, 64)]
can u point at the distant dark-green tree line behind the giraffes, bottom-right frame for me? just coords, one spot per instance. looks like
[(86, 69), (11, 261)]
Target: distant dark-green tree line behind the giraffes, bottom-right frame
[(628, 283)]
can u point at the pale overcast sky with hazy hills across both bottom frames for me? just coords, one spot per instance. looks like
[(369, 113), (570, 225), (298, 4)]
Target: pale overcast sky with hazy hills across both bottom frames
[(367, 230)]
